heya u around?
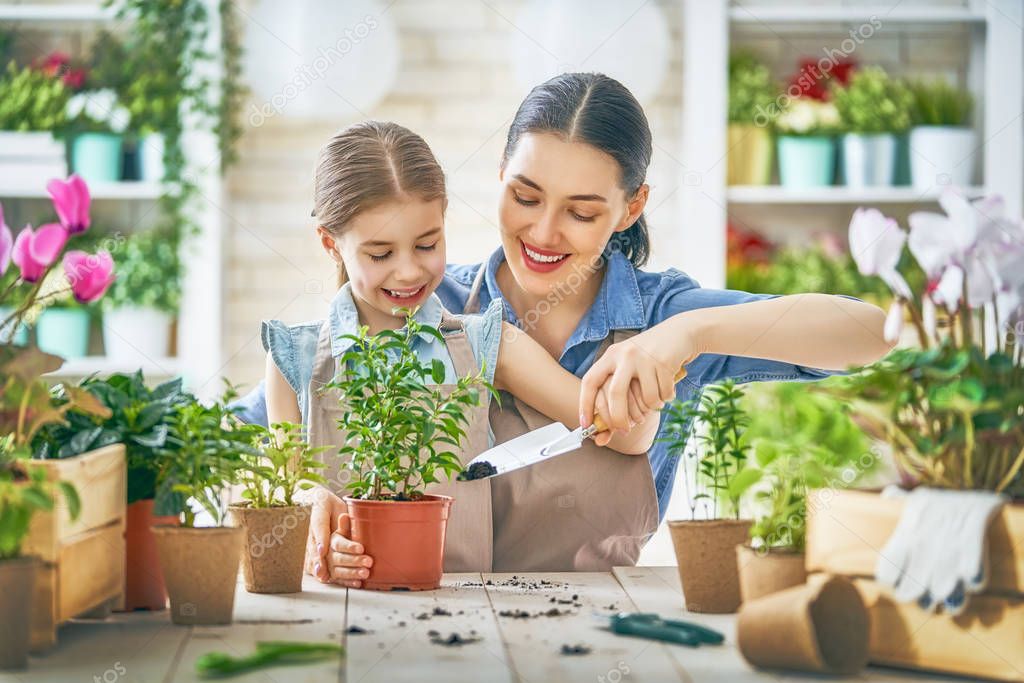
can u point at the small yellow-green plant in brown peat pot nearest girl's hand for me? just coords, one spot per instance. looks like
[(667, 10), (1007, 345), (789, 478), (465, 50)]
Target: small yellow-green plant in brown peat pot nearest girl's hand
[(276, 524)]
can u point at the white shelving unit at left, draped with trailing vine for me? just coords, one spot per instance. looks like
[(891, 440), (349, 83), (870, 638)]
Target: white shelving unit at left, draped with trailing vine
[(200, 332)]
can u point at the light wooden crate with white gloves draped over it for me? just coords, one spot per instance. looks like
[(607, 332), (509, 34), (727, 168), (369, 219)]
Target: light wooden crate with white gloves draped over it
[(846, 532)]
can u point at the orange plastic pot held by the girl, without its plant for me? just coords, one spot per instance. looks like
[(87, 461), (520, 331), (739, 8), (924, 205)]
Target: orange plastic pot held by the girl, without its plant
[(405, 538)]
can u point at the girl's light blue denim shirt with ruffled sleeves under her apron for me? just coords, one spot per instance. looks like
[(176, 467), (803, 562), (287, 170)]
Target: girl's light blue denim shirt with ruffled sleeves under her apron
[(294, 347)]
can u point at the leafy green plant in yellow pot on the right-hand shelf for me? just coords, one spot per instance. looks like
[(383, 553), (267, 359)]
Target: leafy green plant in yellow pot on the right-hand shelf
[(752, 107)]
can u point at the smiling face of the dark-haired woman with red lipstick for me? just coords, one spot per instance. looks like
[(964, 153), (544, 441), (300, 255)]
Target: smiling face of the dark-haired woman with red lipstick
[(561, 204)]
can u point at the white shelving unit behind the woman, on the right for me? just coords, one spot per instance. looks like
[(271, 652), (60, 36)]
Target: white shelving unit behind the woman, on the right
[(994, 76)]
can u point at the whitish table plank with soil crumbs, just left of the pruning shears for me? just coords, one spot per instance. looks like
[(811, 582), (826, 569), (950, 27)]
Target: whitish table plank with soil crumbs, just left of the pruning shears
[(535, 645)]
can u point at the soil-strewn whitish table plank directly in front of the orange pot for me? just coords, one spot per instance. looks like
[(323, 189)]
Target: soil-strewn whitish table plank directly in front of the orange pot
[(400, 647)]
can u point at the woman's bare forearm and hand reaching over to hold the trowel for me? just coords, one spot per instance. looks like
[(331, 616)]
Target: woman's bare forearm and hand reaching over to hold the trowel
[(814, 330)]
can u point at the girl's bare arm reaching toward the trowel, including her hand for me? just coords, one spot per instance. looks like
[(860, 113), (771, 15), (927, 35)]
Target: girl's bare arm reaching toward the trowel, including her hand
[(529, 372)]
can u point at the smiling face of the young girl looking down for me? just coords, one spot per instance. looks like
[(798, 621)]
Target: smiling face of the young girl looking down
[(394, 255)]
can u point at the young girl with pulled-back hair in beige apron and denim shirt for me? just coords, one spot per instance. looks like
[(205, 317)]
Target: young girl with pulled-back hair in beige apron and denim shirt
[(380, 201)]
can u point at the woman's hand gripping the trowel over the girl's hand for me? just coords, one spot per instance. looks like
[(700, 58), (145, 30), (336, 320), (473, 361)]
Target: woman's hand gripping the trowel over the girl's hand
[(637, 375)]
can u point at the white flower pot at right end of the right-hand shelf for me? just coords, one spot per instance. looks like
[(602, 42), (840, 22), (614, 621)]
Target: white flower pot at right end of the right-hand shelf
[(943, 156)]
